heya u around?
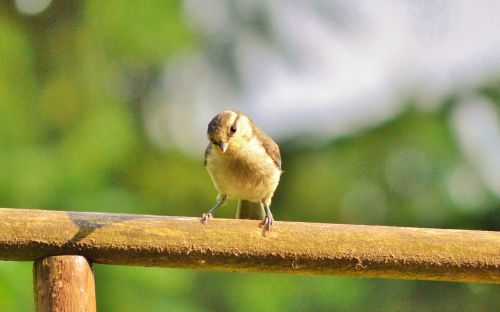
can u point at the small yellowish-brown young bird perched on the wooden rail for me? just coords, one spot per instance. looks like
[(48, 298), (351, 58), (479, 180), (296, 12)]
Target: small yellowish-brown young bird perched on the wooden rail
[(244, 163)]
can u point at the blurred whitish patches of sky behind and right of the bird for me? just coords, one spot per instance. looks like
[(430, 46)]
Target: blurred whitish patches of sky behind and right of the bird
[(329, 68)]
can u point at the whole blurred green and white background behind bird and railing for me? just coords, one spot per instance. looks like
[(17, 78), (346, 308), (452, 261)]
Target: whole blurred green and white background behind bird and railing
[(386, 112)]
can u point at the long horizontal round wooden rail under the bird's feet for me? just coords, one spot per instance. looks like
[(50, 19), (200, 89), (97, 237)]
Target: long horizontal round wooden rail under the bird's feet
[(240, 245)]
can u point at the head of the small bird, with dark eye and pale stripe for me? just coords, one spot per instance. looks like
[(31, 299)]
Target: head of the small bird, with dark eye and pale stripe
[(229, 129)]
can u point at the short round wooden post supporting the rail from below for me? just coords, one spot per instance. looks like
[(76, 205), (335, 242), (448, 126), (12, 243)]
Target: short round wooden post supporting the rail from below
[(64, 283)]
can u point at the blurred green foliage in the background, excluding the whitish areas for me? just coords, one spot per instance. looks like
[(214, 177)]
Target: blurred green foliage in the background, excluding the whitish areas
[(72, 138)]
